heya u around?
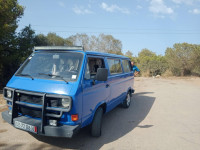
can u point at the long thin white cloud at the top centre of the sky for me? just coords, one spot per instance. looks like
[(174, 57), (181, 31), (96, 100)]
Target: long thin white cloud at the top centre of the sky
[(114, 8)]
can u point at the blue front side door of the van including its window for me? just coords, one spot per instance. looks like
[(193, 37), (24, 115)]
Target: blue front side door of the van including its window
[(94, 92)]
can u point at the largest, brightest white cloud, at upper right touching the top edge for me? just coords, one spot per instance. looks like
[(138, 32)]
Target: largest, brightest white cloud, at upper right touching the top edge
[(159, 7)]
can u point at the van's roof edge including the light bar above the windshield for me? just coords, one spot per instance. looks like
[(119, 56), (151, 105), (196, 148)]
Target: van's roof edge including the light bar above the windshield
[(76, 48)]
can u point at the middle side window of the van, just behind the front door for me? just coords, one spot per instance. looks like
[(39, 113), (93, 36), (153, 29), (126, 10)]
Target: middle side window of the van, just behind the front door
[(114, 66)]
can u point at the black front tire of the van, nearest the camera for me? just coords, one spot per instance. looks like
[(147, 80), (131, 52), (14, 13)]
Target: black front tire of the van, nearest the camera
[(96, 123)]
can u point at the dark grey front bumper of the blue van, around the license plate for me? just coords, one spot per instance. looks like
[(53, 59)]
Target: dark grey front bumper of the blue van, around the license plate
[(58, 131)]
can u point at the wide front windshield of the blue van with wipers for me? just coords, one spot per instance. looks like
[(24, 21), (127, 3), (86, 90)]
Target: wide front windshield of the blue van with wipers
[(52, 65)]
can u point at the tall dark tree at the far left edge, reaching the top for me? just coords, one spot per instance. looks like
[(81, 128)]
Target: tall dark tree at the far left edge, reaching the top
[(10, 12)]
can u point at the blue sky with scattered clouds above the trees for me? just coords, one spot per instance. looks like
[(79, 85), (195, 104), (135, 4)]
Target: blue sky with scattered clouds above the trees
[(138, 24)]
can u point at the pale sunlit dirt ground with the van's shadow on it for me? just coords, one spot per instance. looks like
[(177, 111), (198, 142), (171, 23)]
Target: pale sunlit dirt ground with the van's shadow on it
[(164, 115)]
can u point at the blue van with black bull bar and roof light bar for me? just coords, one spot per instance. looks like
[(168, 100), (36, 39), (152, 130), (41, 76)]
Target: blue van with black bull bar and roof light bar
[(59, 90)]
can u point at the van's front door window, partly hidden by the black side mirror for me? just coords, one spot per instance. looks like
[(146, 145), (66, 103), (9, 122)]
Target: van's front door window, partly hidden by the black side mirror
[(92, 65)]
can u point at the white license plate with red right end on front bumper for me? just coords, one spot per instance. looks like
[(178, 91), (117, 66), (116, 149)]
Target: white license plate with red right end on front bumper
[(25, 126)]
